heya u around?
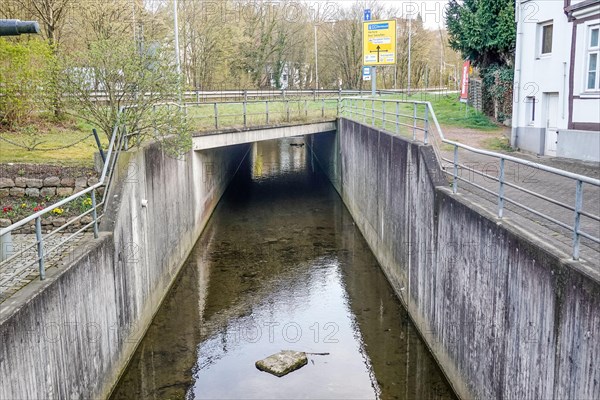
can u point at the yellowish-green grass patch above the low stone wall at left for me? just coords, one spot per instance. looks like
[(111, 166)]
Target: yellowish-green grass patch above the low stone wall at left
[(46, 138)]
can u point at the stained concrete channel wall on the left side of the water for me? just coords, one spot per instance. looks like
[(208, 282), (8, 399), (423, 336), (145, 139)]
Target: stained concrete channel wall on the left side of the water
[(71, 335)]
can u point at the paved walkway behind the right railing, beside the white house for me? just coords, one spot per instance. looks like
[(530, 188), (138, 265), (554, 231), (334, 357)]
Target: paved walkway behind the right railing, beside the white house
[(556, 187)]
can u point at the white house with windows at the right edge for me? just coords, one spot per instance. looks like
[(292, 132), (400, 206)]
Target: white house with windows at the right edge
[(557, 78)]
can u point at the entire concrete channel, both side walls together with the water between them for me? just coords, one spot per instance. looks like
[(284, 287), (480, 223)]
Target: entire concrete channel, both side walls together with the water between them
[(153, 307)]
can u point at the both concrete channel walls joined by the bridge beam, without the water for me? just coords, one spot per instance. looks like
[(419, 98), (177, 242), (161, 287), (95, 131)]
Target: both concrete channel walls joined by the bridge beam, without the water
[(505, 313)]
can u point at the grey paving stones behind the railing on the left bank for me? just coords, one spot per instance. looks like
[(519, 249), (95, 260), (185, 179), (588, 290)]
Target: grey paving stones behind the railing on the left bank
[(23, 269)]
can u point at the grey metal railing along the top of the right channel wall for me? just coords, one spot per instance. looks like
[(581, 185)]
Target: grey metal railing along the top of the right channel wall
[(417, 120)]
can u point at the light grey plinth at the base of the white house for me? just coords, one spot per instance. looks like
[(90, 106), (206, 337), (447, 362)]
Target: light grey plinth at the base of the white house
[(581, 145)]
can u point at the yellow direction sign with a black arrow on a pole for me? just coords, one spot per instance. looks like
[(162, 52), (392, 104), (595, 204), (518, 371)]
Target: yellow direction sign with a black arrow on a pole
[(379, 42)]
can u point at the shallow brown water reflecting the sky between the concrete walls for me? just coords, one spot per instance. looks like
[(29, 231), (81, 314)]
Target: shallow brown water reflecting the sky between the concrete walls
[(281, 266)]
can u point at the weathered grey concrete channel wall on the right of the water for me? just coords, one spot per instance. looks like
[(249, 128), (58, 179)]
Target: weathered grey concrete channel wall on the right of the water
[(503, 315)]
